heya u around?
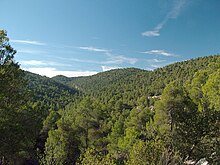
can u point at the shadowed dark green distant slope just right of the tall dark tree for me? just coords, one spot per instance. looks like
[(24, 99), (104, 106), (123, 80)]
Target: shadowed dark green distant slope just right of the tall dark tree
[(48, 91)]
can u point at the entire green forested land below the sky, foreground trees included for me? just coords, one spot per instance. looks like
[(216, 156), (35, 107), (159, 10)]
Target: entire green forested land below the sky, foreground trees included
[(125, 116)]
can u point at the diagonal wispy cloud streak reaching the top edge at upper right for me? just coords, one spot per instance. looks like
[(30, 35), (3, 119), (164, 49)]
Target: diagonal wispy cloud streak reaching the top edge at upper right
[(178, 5)]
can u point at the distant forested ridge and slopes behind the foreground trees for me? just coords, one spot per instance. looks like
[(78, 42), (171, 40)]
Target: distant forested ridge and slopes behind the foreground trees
[(121, 83)]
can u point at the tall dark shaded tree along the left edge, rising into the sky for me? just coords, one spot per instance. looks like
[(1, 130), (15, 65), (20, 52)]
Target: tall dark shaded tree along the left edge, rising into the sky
[(19, 122)]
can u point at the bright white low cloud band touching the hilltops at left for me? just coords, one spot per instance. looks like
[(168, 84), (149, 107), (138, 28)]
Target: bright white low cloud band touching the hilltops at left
[(51, 72)]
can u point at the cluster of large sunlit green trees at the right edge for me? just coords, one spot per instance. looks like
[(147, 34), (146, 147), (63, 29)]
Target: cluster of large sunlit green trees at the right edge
[(188, 118)]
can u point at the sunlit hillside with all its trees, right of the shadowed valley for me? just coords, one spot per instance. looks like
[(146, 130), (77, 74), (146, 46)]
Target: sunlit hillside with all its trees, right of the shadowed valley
[(120, 121)]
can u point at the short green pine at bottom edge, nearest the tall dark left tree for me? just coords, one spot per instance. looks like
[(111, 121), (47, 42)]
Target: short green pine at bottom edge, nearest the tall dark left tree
[(62, 145)]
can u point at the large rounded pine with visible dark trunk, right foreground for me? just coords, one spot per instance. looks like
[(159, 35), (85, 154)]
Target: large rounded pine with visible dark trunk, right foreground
[(176, 120)]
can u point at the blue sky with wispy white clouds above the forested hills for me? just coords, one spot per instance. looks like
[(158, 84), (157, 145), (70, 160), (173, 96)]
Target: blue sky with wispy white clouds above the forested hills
[(84, 37)]
